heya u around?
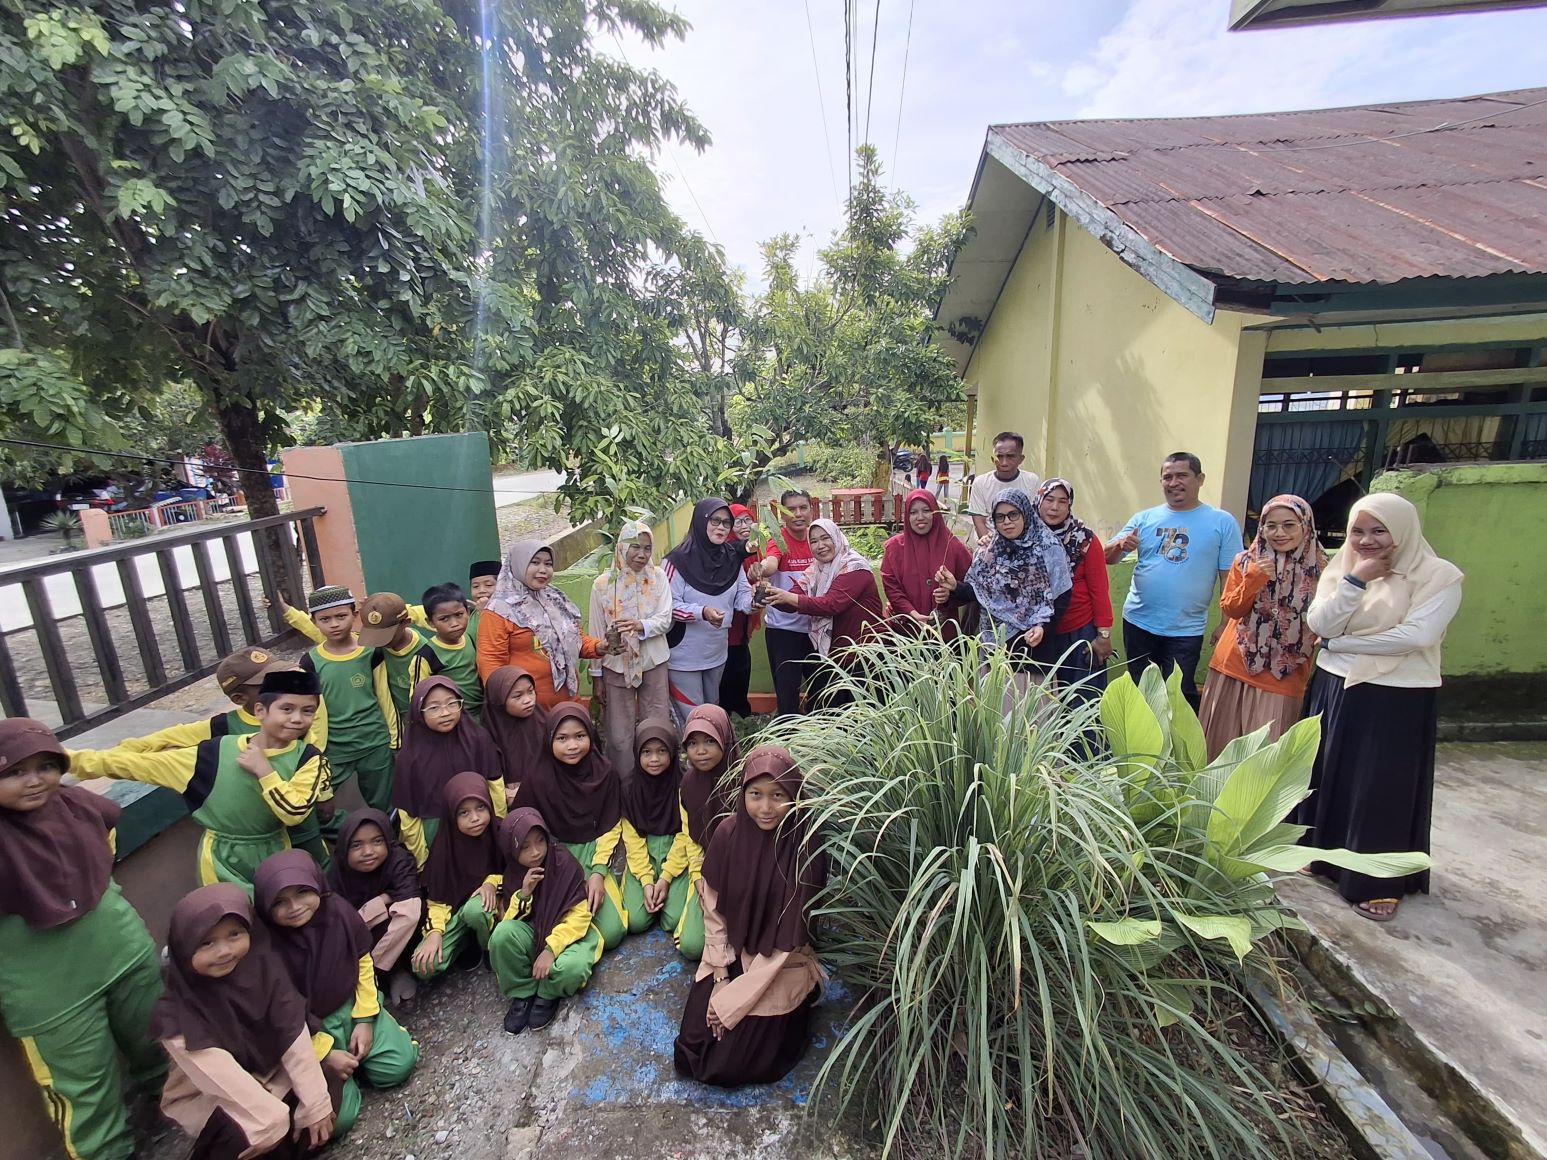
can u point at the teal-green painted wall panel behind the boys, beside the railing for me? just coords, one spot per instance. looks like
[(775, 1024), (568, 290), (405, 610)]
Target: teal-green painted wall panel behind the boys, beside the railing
[(414, 536)]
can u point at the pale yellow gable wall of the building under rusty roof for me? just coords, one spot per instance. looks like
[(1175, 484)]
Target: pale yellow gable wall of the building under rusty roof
[(1105, 375)]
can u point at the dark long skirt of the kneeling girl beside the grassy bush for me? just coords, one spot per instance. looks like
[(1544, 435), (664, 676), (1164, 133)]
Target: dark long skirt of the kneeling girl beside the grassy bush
[(762, 1049)]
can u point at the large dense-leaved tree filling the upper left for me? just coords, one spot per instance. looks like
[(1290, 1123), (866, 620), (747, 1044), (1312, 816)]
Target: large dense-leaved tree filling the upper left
[(290, 206)]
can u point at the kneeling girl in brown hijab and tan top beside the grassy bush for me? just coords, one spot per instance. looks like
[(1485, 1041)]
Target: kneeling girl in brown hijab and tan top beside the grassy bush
[(748, 1018)]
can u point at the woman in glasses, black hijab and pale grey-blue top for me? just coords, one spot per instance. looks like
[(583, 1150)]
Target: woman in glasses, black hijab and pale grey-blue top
[(708, 590)]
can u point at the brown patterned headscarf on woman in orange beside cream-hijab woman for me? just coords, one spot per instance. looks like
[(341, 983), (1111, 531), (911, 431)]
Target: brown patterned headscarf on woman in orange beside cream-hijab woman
[(1272, 636)]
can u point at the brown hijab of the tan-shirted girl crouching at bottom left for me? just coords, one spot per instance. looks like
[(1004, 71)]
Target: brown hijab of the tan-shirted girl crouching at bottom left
[(254, 1012)]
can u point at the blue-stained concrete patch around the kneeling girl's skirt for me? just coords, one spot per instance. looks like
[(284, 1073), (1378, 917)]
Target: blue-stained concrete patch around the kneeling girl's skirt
[(629, 1020)]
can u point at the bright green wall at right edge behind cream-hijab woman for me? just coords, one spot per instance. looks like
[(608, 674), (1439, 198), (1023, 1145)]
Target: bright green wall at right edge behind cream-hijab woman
[(1491, 520)]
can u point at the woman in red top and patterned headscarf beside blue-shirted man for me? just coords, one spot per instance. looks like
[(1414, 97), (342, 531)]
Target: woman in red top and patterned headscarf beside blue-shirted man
[(1088, 619)]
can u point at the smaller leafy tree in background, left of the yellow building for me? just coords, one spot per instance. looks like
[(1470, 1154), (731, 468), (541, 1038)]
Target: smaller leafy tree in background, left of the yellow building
[(847, 358)]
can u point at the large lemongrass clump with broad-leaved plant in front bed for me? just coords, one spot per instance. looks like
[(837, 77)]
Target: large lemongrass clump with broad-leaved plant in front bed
[(1048, 940)]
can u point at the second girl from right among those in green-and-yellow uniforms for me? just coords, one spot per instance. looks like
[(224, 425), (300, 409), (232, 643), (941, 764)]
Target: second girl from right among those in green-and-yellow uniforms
[(657, 884)]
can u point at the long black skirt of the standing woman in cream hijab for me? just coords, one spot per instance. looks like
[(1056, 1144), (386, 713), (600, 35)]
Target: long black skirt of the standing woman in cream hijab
[(1373, 785)]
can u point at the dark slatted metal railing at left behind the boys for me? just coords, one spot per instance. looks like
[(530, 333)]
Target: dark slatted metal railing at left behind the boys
[(149, 582)]
